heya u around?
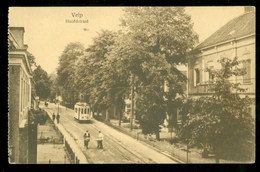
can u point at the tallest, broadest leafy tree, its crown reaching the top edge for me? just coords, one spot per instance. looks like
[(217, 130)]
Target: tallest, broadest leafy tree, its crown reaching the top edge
[(154, 43)]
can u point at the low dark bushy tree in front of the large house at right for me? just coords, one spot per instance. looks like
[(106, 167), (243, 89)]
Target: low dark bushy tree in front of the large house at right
[(221, 121)]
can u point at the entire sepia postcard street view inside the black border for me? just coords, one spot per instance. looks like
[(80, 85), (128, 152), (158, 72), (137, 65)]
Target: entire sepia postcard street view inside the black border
[(131, 85)]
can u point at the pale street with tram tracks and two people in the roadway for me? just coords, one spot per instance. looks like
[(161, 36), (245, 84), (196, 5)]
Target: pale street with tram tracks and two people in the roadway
[(117, 147)]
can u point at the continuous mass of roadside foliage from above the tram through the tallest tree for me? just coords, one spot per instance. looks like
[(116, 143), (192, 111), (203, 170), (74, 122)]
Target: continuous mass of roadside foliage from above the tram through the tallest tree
[(145, 54)]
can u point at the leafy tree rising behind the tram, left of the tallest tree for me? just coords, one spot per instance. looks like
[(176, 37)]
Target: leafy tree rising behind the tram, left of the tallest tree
[(95, 76)]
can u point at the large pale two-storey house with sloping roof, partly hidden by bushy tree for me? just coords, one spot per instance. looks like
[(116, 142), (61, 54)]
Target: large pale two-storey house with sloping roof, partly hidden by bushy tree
[(235, 39)]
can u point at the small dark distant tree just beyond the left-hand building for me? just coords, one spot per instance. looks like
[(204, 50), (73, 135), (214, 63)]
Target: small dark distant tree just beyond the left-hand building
[(42, 84)]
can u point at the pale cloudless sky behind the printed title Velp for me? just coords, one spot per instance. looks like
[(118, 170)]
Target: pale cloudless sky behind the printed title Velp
[(47, 33)]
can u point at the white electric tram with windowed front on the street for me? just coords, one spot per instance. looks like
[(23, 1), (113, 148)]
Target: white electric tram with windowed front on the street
[(82, 112)]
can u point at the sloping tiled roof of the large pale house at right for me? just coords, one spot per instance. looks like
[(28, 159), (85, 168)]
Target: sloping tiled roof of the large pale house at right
[(240, 26)]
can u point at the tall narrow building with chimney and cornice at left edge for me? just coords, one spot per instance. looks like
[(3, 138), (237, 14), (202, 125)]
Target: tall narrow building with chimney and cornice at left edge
[(19, 96)]
